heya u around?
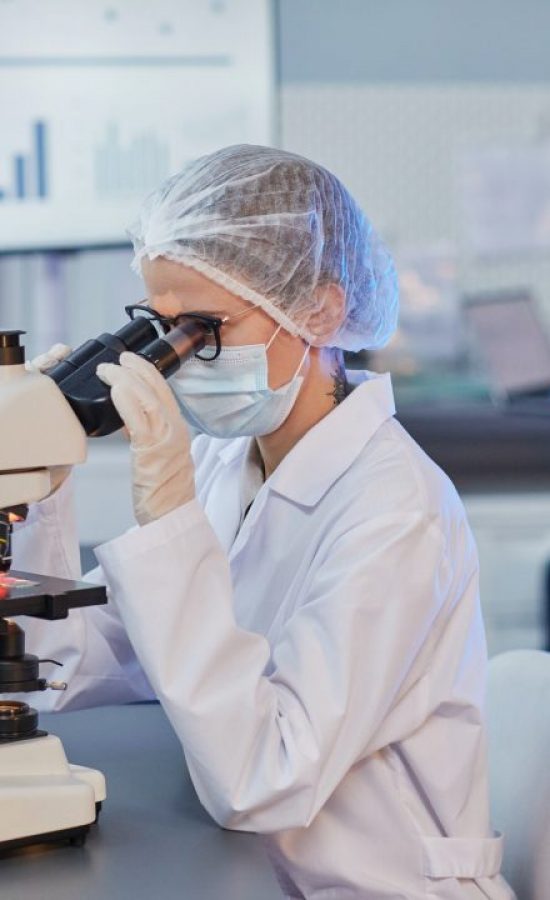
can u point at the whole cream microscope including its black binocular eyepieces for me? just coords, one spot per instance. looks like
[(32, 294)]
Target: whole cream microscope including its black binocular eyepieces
[(45, 421)]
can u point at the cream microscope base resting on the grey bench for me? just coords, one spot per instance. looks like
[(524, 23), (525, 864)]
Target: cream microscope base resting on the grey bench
[(42, 796)]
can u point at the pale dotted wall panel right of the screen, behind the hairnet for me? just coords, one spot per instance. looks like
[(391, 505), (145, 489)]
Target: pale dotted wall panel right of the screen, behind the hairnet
[(401, 150)]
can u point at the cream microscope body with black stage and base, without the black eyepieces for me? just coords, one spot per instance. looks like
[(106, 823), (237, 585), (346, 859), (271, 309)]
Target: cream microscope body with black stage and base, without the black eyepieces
[(42, 796)]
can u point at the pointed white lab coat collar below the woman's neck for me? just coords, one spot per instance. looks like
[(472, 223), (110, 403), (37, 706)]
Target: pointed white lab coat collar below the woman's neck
[(330, 447)]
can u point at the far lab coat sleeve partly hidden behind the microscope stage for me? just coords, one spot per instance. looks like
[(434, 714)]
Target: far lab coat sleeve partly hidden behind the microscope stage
[(98, 661)]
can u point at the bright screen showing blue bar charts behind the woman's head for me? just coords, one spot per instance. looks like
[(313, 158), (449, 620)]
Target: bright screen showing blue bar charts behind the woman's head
[(99, 108)]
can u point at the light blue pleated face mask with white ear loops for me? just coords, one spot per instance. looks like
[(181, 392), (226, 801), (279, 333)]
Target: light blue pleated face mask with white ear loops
[(230, 397)]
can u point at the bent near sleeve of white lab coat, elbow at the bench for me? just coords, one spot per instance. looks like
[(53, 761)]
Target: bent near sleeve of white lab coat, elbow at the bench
[(265, 752)]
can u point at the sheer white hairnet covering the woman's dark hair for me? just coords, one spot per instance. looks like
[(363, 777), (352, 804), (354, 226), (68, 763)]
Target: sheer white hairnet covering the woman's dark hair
[(274, 228)]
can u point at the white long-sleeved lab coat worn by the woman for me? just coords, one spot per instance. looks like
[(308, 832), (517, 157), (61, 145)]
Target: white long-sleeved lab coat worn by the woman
[(324, 668)]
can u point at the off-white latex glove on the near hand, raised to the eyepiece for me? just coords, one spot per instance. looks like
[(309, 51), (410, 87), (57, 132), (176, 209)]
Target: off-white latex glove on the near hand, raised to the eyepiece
[(162, 469)]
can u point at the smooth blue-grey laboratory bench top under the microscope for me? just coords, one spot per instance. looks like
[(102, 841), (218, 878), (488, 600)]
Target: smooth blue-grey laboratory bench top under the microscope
[(153, 839)]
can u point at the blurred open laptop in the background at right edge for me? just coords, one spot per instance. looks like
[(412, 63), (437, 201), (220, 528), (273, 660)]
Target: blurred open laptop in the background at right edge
[(515, 346)]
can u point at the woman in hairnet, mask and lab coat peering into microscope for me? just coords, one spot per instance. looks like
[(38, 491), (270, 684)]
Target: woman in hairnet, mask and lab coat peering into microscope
[(301, 593)]
